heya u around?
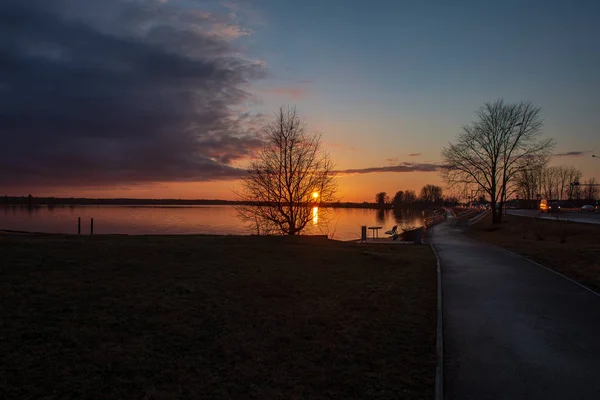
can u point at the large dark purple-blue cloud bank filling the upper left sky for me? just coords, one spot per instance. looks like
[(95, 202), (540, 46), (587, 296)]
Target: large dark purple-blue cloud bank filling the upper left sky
[(121, 91)]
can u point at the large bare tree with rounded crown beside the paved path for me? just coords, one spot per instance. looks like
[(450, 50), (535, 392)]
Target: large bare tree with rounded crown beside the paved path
[(493, 150)]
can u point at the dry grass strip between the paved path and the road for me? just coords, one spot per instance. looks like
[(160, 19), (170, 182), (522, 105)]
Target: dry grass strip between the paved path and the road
[(570, 248)]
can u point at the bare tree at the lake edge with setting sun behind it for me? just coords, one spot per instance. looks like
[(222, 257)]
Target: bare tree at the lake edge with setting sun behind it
[(290, 176)]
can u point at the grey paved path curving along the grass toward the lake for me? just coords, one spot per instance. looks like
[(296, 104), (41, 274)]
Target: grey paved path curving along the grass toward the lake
[(513, 329)]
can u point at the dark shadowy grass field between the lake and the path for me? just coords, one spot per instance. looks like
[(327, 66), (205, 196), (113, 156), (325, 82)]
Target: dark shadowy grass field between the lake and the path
[(117, 317)]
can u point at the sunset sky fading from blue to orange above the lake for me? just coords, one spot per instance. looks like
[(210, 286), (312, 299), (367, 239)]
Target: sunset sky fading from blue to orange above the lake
[(167, 98)]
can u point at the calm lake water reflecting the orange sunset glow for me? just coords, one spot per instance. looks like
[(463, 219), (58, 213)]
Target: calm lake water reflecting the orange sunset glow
[(342, 224)]
